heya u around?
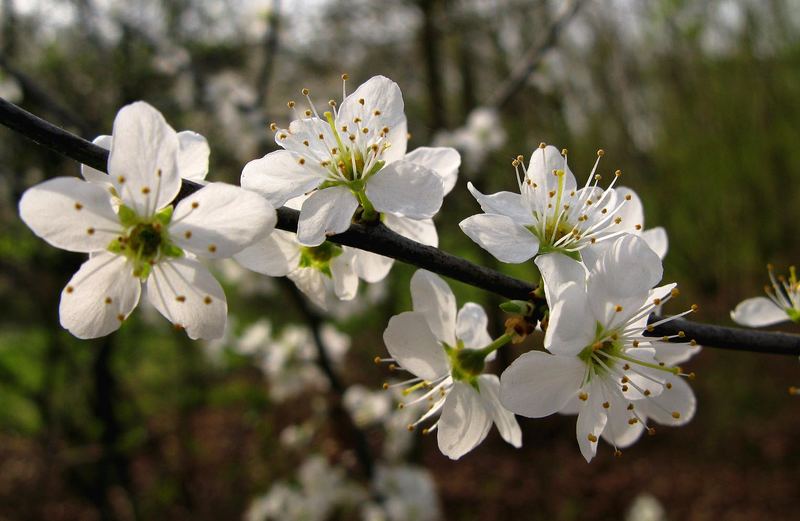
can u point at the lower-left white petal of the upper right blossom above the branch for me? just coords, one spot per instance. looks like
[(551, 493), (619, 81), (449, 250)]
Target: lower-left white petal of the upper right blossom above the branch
[(502, 237)]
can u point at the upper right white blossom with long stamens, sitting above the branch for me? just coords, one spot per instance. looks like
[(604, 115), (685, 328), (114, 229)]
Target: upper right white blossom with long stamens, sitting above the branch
[(551, 214)]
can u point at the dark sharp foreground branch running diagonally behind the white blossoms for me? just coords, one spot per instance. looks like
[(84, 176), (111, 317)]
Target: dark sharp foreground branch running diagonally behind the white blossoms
[(381, 240)]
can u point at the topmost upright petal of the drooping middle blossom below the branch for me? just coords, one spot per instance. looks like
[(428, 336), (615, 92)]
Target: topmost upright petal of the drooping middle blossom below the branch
[(432, 297)]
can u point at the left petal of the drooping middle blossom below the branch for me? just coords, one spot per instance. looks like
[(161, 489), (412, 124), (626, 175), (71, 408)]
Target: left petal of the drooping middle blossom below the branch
[(412, 344)]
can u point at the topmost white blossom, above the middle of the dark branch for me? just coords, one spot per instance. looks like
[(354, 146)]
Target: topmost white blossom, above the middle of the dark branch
[(353, 161)]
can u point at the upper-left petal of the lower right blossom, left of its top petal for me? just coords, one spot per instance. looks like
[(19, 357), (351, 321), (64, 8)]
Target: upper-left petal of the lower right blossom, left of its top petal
[(571, 325)]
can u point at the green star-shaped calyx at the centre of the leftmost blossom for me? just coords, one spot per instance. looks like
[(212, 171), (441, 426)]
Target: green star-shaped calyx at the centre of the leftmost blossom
[(144, 241)]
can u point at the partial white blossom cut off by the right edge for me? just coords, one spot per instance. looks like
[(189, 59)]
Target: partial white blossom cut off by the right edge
[(783, 303)]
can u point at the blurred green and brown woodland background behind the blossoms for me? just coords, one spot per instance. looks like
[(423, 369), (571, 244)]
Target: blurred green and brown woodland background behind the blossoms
[(698, 103)]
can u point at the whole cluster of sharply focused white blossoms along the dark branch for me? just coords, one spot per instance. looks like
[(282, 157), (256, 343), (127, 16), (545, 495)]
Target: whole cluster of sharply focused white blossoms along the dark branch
[(599, 268)]
